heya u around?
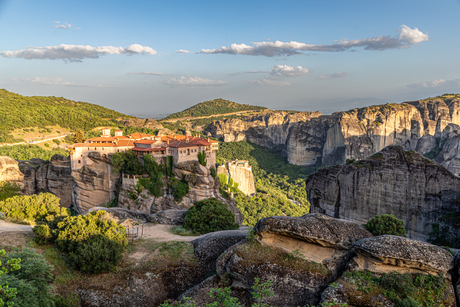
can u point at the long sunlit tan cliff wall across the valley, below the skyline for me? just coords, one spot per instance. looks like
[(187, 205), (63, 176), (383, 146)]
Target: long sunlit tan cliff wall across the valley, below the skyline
[(310, 139)]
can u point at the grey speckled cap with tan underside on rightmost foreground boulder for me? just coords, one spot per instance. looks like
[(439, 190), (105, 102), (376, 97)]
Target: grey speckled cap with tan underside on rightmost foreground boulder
[(381, 254)]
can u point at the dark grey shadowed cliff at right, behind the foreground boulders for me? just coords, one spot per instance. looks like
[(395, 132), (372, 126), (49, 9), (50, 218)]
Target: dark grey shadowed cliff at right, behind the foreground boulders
[(405, 184)]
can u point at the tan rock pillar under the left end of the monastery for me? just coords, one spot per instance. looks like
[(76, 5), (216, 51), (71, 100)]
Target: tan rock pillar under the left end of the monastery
[(95, 184)]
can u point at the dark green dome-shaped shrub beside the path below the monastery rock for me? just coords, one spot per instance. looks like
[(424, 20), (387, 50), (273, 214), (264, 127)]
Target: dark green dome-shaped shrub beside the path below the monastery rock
[(209, 215)]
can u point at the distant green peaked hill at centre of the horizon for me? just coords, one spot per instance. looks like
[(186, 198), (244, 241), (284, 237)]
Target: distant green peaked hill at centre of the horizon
[(213, 107)]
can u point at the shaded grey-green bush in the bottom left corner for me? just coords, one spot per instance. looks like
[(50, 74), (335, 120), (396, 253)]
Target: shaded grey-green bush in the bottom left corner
[(32, 280)]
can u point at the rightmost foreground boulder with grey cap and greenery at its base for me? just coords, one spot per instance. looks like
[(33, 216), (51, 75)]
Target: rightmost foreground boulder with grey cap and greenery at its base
[(400, 263)]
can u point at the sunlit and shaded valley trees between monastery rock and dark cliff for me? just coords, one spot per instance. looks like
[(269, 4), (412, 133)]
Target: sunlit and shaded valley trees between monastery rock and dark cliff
[(280, 186)]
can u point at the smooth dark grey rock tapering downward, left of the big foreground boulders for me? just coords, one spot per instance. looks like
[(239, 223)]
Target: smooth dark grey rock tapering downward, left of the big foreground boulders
[(209, 247)]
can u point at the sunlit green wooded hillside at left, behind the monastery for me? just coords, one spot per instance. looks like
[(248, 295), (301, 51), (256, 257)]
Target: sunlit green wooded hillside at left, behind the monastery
[(17, 111)]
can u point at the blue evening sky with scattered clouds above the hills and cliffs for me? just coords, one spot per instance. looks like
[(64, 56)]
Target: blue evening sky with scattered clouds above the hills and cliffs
[(159, 57)]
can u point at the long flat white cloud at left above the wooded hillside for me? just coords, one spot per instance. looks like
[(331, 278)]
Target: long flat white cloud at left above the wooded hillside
[(75, 53)]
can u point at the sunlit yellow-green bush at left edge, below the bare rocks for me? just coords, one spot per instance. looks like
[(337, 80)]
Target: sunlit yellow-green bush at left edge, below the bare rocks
[(35, 208)]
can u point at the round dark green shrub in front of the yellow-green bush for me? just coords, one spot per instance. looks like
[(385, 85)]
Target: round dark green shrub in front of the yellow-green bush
[(97, 254)]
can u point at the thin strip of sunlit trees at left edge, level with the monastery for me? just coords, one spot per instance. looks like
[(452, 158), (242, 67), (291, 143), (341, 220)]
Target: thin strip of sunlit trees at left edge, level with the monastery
[(27, 152)]
